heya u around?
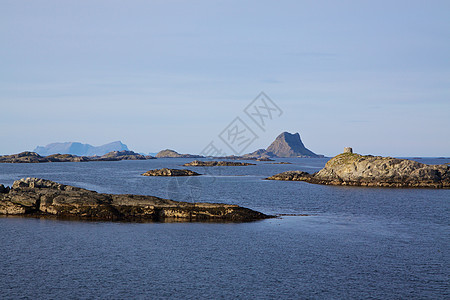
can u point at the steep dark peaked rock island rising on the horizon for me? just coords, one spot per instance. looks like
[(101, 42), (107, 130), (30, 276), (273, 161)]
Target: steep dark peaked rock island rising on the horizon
[(285, 145)]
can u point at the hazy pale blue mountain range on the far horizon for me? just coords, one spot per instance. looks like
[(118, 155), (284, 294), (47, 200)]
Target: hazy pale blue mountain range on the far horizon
[(80, 149)]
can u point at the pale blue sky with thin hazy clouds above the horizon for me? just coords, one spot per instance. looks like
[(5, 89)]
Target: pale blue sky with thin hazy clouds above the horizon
[(373, 75)]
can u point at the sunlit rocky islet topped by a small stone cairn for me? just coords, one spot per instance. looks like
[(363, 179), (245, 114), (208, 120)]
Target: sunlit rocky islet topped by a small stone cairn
[(375, 171)]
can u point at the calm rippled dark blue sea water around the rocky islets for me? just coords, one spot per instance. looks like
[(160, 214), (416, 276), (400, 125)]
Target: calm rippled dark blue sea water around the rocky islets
[(354, 243)]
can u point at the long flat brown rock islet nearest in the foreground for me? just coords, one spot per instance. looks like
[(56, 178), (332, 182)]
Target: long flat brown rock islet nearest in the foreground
[(40, 197)]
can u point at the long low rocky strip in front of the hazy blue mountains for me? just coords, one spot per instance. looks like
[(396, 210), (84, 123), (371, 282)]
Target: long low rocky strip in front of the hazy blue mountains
[(33, 157)]
